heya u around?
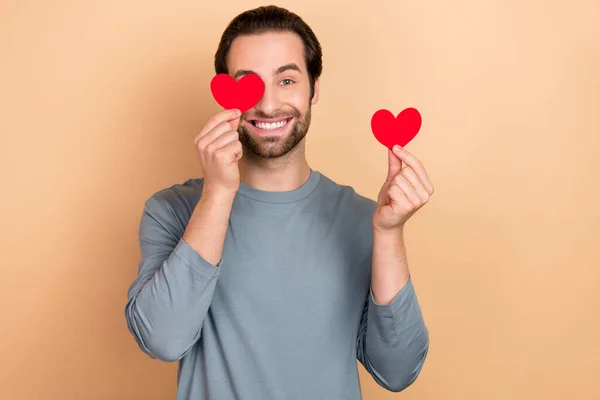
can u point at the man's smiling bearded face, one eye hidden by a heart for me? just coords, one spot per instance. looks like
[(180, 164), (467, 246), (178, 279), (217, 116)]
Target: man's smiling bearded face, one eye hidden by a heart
[(281, 119)]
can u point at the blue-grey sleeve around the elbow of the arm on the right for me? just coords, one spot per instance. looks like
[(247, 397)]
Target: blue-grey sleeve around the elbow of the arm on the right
[(393, 340)]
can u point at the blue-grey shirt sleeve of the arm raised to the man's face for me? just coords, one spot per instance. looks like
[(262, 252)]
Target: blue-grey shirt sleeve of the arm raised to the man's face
[(169, 299)]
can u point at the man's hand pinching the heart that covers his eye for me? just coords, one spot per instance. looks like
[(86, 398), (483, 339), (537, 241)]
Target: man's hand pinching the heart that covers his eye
[(219, 150)]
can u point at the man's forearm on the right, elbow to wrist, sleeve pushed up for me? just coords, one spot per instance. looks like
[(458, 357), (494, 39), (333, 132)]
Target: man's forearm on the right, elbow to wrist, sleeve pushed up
[(393, 340)]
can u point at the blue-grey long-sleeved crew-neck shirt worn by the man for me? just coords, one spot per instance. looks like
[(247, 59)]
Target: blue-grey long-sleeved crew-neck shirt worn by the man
[(286, 312)]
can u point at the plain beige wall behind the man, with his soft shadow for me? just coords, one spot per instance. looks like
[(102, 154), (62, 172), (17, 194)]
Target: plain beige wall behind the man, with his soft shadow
[(100, 102)]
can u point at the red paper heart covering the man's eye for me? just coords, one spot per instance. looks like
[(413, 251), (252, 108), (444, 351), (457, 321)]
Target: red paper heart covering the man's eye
[(243, 94)]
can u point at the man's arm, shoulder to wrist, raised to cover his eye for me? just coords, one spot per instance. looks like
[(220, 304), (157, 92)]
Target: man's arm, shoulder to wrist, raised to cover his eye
[(169, 299)]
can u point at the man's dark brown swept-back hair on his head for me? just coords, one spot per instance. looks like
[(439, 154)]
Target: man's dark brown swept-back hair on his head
[(276, 19)]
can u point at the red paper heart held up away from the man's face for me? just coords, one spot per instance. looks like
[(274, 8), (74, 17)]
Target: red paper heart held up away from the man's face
[(390, 130)]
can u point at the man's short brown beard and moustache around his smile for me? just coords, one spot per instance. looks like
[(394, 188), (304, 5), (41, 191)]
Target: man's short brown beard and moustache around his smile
[(275, 146)]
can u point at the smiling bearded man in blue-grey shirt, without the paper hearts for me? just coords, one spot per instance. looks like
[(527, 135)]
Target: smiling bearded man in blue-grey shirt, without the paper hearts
[(265, 279)]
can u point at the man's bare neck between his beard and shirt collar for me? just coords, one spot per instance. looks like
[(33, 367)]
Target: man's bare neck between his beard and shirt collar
[(281, 174)]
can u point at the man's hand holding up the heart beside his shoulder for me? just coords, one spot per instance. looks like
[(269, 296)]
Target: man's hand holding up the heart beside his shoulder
[(406, 189)]
